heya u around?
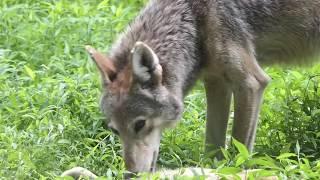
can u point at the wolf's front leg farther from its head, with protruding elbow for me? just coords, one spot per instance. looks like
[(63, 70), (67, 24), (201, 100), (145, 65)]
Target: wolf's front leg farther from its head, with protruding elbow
[(248, 93)]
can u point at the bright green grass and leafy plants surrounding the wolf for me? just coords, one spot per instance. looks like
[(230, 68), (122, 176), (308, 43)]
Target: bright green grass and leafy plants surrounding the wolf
[(49, 92)]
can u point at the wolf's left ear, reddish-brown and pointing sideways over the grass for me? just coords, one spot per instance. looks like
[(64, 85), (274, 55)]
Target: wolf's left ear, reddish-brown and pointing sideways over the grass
[(104, 64)]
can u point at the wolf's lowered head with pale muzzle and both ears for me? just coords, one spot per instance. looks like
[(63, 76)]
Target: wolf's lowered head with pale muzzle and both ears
[(137, 104)]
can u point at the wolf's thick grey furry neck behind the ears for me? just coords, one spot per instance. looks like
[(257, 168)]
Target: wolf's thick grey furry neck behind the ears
[(170, 29)]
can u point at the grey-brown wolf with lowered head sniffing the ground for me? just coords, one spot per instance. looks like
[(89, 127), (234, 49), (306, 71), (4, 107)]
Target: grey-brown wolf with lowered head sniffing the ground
[(172, 43)]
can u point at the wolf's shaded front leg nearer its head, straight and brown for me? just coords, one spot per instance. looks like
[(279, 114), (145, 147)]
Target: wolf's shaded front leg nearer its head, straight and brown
[(218, 94)]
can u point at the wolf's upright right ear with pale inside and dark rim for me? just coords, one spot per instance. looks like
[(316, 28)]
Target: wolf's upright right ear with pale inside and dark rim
[(145, 64)]
